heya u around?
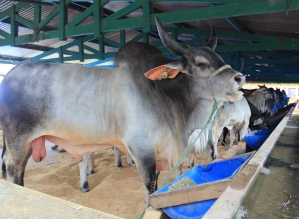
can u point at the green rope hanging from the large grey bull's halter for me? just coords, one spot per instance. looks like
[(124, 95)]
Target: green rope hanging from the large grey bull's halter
[(212, 116)]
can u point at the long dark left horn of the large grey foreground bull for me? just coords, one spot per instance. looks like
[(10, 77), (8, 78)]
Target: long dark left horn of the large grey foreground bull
[(170, 43)]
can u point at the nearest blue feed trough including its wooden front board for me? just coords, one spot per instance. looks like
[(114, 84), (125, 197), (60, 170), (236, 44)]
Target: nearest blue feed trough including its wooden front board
[(194, 192)]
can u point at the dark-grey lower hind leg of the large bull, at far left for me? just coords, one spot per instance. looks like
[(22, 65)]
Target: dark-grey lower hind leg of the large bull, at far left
[(16, 158)]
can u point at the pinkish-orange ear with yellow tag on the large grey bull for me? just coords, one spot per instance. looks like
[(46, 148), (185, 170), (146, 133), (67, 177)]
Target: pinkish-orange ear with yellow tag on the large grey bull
[(161, 72)]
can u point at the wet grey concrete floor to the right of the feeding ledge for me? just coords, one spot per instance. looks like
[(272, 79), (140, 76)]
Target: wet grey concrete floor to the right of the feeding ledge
[(276, 195)]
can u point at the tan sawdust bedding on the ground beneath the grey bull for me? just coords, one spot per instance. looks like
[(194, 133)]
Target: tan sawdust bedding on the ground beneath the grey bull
[(117, 191)]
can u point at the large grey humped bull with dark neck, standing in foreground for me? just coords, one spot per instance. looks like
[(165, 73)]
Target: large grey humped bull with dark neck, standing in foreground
[(130, 107)]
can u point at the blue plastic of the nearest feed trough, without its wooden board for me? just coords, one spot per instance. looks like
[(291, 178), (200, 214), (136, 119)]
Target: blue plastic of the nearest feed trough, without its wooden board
[(203, 174)]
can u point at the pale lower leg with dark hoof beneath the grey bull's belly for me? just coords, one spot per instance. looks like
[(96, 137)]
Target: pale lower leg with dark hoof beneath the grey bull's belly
[(85, 168)]
